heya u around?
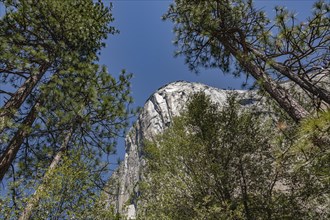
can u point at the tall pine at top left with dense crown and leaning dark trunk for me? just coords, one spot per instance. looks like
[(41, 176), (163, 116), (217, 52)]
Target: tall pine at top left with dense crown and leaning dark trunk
[(43, 43)]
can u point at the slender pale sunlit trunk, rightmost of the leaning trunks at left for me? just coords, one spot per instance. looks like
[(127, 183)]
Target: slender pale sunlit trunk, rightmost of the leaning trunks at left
[(34, 200)]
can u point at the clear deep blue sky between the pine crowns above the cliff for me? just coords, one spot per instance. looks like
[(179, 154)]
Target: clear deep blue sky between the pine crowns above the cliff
[(144, 48)]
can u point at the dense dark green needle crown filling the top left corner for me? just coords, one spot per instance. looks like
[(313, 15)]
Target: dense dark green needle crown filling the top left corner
[(54, 32)]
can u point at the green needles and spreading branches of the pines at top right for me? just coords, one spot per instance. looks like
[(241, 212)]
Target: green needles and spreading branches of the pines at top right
[(205, 30)]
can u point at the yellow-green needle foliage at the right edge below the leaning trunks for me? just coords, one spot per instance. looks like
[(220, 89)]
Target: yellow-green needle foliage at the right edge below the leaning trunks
[(312, 158)]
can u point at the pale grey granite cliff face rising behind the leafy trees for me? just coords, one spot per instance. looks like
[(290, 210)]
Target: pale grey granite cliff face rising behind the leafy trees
[(155, 116)]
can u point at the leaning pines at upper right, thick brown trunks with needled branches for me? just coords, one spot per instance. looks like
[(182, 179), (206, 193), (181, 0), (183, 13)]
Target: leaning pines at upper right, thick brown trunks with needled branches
[(224, 33)]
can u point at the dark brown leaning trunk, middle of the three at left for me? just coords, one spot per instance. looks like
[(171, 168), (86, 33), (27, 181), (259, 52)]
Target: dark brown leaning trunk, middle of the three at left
[(13, 147)]
